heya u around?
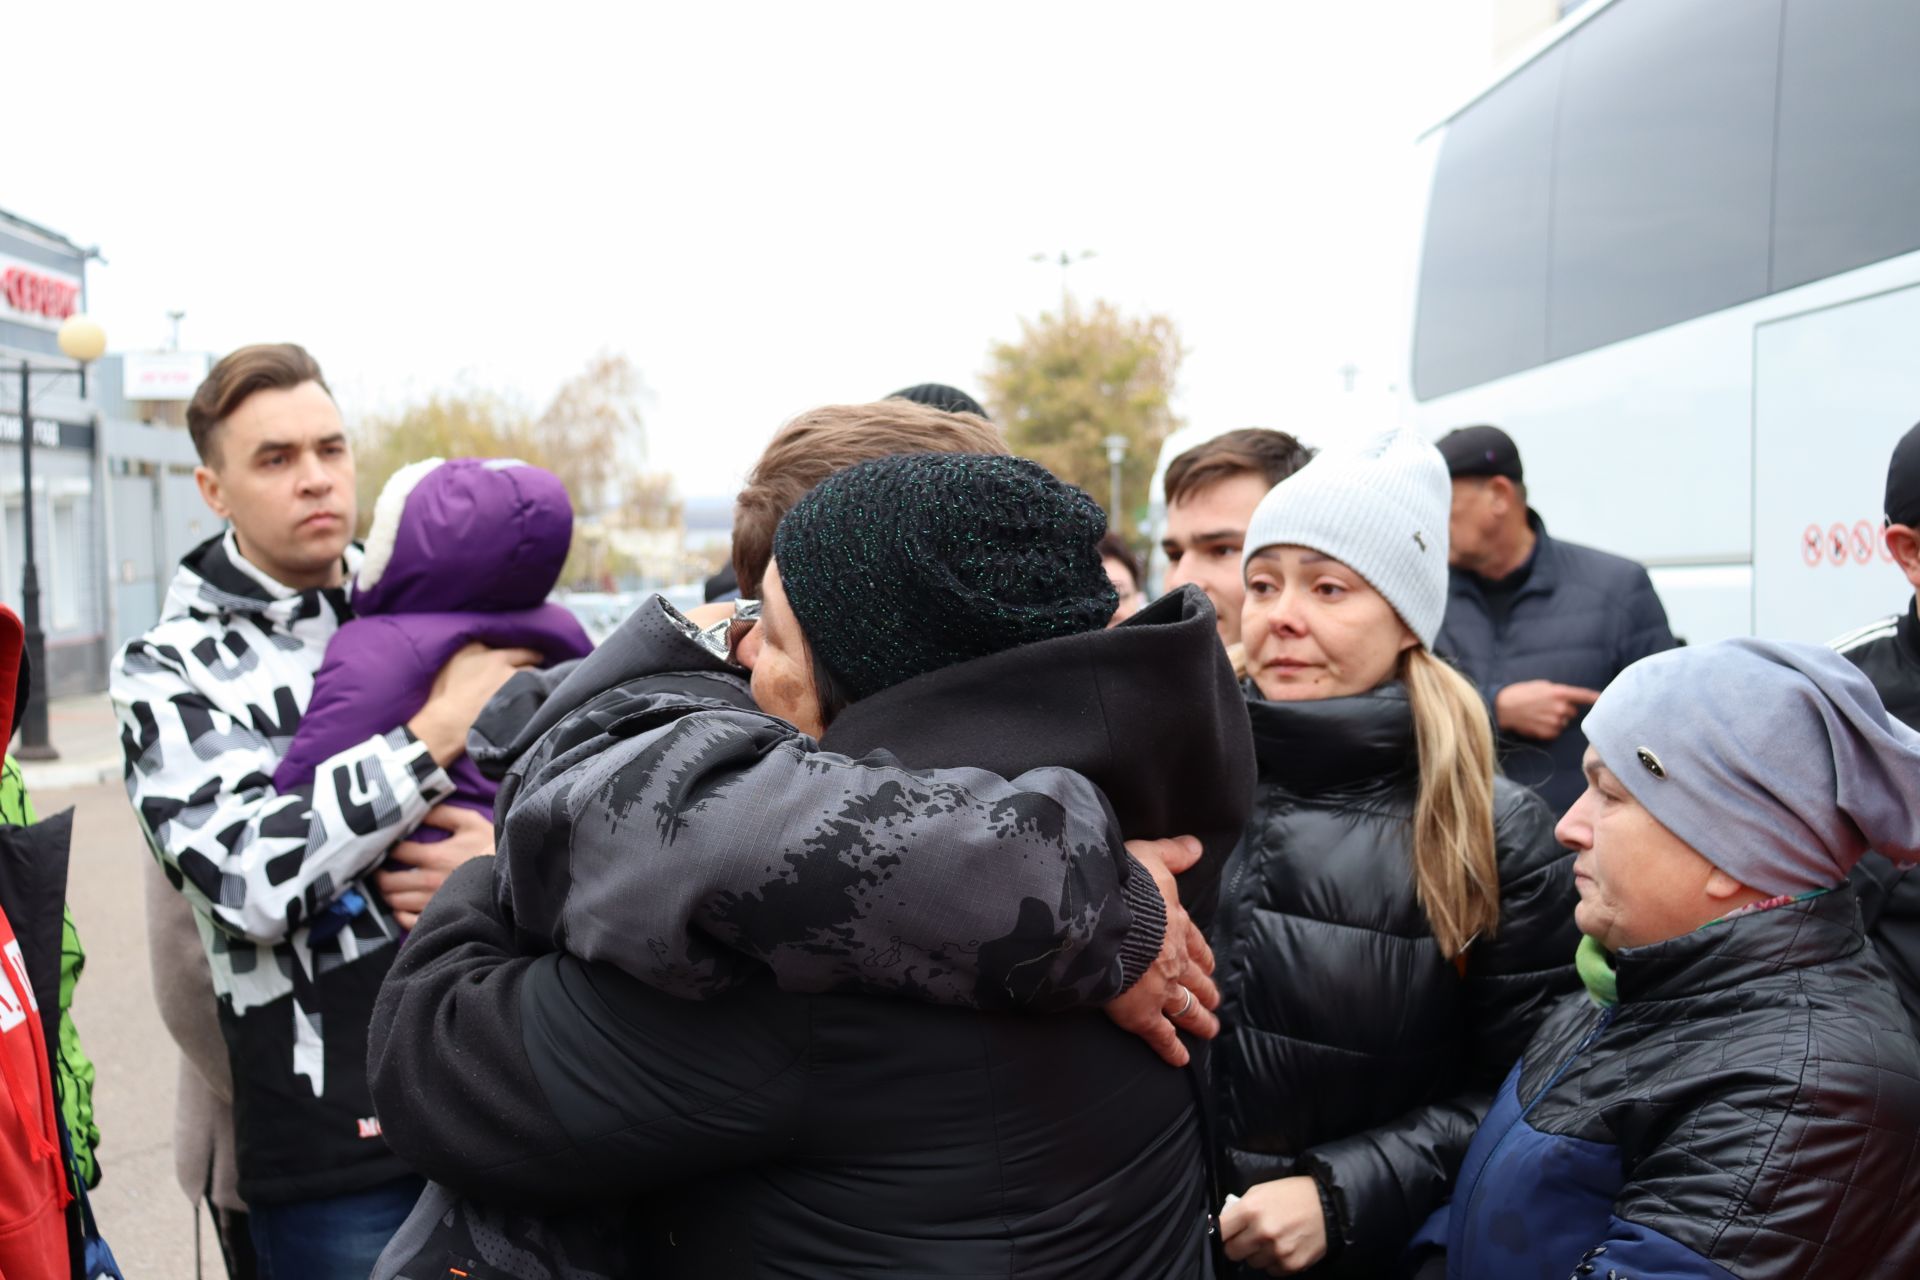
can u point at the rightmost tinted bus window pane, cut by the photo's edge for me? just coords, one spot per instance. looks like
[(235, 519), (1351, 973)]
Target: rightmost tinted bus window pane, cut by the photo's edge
[(1850, 137)]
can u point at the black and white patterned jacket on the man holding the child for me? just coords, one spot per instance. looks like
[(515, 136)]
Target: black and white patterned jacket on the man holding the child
[(208, 703)]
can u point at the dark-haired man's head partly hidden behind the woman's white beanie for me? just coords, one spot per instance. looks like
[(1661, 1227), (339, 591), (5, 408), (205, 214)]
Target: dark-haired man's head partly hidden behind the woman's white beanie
[(1212, 492)]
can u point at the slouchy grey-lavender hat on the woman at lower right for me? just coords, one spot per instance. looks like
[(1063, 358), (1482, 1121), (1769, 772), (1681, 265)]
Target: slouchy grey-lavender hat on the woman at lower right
[(1777, 763)]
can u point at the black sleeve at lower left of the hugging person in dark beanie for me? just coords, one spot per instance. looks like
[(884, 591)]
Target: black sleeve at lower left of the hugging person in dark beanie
[(556, 1081)]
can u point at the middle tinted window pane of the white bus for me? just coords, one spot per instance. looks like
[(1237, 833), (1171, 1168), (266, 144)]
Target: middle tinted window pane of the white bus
[(1664, 174)]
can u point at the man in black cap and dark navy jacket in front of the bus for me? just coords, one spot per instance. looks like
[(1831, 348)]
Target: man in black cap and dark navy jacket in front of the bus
[(1539, 625)]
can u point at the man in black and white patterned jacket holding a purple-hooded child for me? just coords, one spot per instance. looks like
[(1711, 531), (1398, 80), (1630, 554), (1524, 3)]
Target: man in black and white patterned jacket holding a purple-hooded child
[(208, 701)]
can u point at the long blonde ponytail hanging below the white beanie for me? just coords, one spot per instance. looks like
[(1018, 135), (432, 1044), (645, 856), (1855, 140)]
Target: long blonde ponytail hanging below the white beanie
[(1454, 865)]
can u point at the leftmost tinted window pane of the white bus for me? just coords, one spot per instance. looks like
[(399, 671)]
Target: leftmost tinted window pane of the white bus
[(1483, 293)]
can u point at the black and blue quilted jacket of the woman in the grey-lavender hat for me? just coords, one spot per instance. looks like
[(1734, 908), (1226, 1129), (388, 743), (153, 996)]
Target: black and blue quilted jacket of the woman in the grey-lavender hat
[(1748, 1112)]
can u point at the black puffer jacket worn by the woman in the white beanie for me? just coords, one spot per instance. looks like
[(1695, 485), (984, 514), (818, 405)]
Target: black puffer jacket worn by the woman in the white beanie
[(1353, 1049)]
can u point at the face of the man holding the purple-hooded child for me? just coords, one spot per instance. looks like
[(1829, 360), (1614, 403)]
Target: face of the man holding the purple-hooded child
[(283, 475)]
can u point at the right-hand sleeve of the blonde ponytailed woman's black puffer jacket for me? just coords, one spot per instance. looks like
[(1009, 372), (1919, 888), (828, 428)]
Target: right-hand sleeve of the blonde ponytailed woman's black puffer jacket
[(1387, 1181)]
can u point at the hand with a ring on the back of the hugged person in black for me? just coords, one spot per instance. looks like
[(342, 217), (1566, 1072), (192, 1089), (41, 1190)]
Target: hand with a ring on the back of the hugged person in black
[(1176, 993)]
